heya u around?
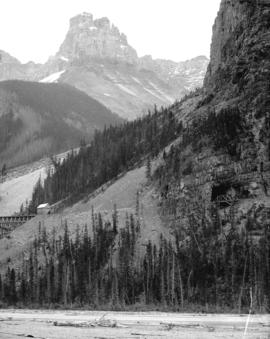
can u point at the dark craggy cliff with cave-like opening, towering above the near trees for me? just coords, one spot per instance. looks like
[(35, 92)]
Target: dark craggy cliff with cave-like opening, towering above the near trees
[(225, 152)]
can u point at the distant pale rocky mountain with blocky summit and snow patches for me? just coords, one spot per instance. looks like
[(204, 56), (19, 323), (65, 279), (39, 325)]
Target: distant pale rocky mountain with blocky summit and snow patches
[(97, 59)]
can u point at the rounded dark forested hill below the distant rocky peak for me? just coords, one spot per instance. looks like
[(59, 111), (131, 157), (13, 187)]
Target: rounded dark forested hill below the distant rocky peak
[(39, 119)]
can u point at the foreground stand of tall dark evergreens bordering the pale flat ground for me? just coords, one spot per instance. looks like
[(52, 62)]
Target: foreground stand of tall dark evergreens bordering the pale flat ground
[(99, 266)]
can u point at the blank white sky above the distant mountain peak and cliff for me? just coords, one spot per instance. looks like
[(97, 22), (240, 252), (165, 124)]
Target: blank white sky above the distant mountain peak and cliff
[(167, 29)]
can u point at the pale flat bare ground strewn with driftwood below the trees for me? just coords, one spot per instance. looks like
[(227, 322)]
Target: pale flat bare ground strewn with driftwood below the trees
[(145, 325)]
